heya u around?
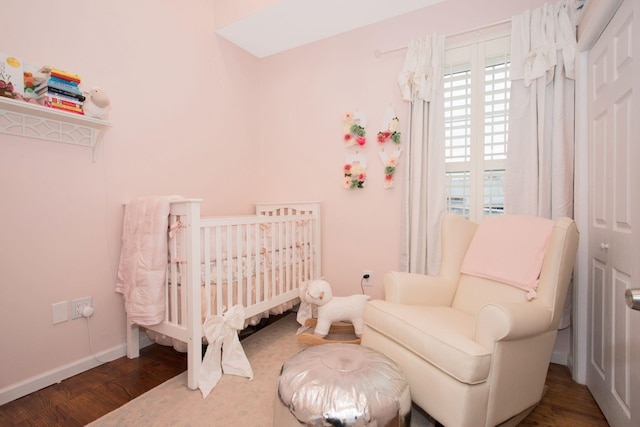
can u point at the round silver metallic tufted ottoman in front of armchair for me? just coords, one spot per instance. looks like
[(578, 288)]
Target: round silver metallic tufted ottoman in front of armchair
[(341, 385)]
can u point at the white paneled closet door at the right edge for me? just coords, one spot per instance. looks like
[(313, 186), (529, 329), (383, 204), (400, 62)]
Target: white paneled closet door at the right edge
[(613, 362)]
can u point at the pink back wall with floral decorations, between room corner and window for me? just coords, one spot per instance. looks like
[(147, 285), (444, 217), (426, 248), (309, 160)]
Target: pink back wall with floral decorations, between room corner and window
[(305, 92)]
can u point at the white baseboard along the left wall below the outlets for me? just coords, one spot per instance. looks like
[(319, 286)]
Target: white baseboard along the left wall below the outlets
[(57, 375)]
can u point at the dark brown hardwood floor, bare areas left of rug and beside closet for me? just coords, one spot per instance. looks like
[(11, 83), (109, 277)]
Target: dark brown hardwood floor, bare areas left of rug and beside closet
[(87, 396)]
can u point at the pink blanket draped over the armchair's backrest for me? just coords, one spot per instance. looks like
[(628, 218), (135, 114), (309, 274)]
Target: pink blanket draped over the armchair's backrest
[(497, 251)]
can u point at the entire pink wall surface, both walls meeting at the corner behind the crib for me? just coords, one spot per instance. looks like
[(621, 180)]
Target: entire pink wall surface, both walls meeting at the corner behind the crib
[(192, 115)]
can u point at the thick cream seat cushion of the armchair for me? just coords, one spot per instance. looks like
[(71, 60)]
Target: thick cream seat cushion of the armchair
[(442, 336)]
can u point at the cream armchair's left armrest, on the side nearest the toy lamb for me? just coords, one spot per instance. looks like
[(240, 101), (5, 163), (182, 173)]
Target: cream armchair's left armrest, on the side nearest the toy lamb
[(418, 289)]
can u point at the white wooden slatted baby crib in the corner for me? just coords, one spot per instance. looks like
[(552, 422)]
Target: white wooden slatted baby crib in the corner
[(257, 261)]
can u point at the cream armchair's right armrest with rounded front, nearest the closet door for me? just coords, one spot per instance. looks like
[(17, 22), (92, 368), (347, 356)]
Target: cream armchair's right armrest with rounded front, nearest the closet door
[(511, 321)]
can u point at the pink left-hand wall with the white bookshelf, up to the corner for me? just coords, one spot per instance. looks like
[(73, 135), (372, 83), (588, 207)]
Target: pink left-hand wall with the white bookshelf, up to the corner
[(183, 122)]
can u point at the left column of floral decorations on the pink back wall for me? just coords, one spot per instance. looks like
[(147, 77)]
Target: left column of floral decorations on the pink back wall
[(355, 137)]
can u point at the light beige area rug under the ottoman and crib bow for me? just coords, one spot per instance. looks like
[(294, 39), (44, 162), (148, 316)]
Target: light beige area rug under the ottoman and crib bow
[(235, 401)]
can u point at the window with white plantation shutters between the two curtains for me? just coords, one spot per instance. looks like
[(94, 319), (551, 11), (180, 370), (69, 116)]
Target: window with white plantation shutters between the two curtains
[(476, 117)]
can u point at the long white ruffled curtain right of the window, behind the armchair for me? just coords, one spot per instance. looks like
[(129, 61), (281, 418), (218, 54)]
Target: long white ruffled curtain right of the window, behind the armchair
[(539, 172)]
